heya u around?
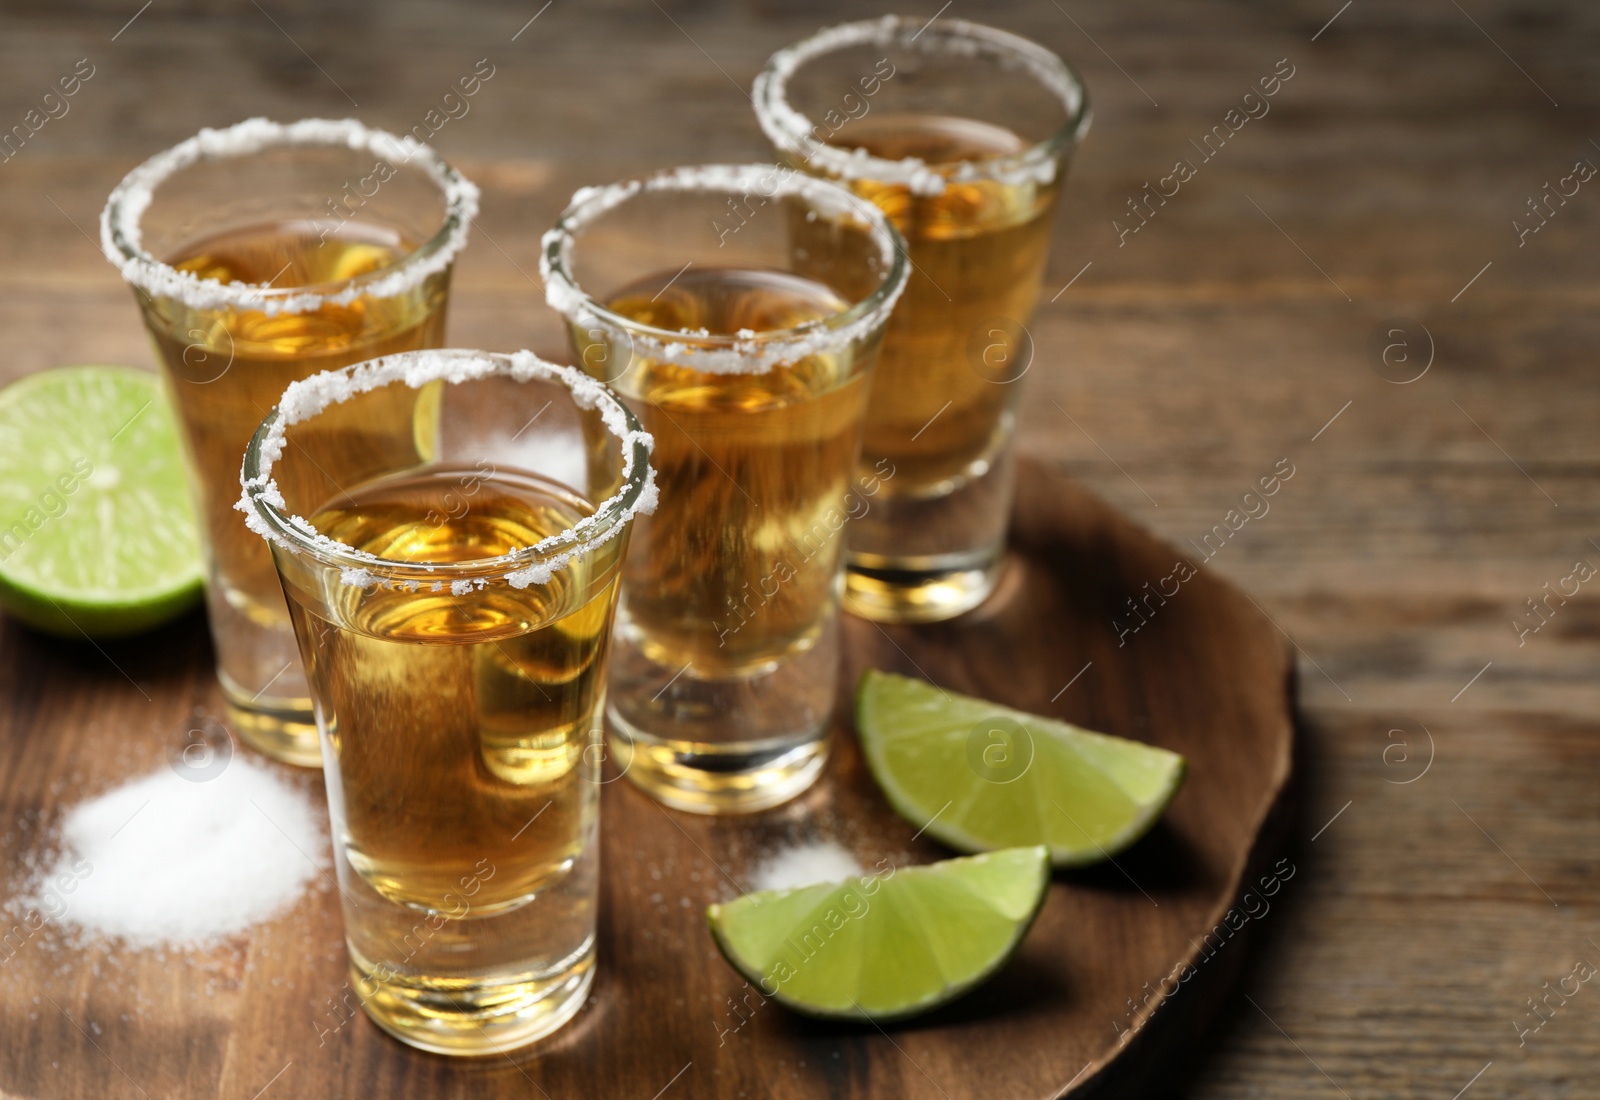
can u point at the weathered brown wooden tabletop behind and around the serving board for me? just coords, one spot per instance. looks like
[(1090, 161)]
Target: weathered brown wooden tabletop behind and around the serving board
[(1446, 880)]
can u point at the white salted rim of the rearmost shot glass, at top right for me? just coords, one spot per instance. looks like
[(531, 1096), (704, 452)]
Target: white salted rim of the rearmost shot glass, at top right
[(791, 130)]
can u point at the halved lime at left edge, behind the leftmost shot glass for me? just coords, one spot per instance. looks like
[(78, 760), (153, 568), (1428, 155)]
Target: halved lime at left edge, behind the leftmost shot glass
[(97, 530)]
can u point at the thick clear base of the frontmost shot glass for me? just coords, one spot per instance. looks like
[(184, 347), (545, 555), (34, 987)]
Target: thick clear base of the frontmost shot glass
[(462, 1018)]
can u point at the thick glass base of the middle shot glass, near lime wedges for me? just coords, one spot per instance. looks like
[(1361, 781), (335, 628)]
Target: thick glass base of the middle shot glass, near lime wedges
[(716, 779)]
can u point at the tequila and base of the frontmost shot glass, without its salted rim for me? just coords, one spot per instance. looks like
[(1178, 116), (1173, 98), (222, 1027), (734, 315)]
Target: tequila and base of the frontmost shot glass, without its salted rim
[(462, 733)]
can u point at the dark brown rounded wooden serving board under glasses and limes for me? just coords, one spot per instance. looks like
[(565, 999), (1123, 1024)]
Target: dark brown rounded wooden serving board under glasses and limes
[(1097, 1002)]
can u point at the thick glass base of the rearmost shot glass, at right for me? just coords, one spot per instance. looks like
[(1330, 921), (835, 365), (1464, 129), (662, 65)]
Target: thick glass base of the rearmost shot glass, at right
[(929, 589)]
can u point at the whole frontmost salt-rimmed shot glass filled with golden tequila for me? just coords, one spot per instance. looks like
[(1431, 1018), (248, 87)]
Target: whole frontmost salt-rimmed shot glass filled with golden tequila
[(455, 620)]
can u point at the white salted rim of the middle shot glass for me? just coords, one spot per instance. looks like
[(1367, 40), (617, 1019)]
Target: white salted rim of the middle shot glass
[(746, 353)]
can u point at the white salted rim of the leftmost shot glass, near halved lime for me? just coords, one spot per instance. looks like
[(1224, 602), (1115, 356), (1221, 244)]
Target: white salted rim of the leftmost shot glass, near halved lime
[(122, 236)]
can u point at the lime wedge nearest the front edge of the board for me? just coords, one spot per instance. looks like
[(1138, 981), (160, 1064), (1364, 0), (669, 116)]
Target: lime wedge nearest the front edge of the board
[(884, 947)]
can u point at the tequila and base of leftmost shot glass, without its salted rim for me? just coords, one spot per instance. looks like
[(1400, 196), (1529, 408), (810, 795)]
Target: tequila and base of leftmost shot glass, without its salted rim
[(225, 370)]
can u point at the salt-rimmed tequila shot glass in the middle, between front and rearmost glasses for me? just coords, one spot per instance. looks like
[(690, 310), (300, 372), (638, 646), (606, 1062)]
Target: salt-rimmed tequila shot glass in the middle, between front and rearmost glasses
[(738, 311)]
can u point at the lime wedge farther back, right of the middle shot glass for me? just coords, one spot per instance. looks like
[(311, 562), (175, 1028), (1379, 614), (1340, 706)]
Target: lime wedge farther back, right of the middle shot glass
[(978, 776)]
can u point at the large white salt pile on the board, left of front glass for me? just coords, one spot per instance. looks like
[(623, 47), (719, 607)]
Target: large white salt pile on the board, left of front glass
[(166, 861)]
